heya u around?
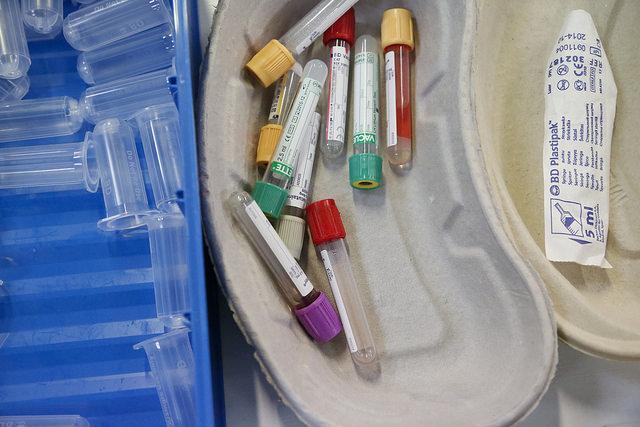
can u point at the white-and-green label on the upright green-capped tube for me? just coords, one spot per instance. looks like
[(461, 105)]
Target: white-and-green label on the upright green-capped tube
[(365, 109)]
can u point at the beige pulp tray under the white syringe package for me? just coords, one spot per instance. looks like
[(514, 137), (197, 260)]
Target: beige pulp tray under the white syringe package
[(597, 309)]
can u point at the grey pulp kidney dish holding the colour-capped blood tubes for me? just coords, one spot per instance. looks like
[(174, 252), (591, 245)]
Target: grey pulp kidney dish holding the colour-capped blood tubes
[(468, 317)]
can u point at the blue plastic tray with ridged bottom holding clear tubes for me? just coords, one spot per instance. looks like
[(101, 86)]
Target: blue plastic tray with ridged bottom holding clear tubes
[(79, 299)]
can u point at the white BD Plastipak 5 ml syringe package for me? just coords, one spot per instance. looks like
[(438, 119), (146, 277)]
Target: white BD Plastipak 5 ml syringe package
[(580, 96)]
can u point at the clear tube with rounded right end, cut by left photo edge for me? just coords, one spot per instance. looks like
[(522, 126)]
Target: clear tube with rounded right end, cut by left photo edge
[(39, 118)]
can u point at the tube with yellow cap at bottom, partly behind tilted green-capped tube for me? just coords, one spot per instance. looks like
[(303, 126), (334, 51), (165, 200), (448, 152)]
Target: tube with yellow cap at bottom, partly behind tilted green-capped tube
[(282, 99)]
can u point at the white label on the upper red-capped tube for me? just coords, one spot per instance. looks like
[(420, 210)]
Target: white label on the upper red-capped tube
[(338, 92)]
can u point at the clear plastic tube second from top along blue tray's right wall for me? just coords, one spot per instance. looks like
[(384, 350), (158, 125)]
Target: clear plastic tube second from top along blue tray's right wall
[(148, 51)]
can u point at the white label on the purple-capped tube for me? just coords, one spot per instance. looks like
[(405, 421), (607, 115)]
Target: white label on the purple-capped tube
[(279, 249)]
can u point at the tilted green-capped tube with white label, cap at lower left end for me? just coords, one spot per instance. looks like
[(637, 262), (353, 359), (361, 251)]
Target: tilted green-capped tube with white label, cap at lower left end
[(271, 192)]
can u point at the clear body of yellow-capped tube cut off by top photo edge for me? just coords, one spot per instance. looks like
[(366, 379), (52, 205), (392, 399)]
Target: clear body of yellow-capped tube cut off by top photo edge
[(313, 24)]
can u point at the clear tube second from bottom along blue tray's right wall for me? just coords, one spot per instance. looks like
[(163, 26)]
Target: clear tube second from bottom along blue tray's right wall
[(167, 241)]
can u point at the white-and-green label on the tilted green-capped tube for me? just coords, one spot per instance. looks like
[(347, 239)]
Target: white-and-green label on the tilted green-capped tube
[(295, 129)]
